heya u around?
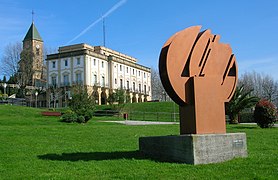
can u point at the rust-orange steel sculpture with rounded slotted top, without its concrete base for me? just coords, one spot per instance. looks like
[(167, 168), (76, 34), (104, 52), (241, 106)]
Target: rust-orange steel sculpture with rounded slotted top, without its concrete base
[(199, 74)]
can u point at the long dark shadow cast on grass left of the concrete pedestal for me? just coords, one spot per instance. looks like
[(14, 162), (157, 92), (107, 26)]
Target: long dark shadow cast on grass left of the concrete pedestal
[(92, 156)]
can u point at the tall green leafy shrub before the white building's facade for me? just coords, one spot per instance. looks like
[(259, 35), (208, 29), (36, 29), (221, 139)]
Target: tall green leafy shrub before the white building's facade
[(81, 103)]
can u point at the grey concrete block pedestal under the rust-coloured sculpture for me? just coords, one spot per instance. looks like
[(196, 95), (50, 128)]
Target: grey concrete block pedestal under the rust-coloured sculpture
[(195, 148)]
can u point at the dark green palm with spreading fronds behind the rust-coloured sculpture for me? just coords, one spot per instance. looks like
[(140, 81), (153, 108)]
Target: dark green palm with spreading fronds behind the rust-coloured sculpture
[(241, 99)]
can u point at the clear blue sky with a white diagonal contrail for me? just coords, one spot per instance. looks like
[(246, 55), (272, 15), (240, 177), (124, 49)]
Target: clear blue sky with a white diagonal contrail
[(139, 28)]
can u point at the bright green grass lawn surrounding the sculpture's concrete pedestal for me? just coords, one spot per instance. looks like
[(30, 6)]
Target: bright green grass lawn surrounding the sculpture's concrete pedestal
[(36, 147)]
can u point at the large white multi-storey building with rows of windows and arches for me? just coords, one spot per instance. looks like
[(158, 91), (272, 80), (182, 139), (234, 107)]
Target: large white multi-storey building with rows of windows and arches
[(101, 69)]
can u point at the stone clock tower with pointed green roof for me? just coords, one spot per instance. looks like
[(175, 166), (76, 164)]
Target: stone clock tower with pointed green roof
[(33, 44)]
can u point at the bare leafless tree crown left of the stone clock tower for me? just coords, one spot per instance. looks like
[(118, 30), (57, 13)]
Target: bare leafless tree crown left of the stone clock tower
[(10, 59)]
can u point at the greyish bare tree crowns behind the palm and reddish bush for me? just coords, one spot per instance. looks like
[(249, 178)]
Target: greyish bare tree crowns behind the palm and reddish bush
[(263, 86)]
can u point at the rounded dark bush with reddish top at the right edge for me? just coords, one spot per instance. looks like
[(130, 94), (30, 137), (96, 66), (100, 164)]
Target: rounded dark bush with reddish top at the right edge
[(265, 114)]
